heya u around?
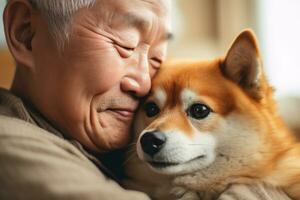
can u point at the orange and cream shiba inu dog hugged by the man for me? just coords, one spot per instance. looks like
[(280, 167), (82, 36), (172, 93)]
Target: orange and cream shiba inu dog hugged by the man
[(208, 124)]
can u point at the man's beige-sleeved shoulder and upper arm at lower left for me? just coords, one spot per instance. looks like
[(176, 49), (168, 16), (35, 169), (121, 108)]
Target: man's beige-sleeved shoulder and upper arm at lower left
[(37, 165)]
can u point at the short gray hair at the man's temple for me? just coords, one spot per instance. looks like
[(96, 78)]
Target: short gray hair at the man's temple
[(58, 14)]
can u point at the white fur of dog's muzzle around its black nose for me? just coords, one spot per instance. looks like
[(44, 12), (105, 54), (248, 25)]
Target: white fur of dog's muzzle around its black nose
[(187, 154)]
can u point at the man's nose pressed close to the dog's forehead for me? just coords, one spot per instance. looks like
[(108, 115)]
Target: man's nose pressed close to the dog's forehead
[(138, 80)]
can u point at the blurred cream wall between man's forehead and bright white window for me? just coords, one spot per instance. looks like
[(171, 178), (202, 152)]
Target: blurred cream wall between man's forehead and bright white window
[(206, 28)]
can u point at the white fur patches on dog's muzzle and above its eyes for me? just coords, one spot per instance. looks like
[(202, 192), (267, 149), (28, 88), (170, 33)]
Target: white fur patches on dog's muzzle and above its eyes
[(185, 153)]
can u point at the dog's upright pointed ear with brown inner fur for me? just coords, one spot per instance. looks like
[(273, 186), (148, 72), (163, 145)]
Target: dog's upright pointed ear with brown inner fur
[(243, 65)]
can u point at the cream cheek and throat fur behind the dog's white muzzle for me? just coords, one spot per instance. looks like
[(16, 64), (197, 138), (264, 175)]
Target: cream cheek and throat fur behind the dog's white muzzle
[(236, 152)]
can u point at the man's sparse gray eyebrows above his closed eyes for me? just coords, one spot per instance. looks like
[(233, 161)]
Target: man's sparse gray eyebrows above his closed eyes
[(139, 22)]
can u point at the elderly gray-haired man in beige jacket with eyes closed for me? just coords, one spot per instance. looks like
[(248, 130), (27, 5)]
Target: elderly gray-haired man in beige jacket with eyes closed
[(82, 66)]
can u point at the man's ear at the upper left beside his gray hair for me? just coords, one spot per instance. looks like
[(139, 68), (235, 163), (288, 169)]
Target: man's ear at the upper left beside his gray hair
[(19, 31)]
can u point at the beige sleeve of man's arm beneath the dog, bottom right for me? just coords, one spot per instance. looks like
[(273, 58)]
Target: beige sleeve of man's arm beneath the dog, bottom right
[(253, 192)]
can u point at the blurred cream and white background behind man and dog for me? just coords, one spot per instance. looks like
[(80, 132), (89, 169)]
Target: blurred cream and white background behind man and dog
[(206, 28)]
